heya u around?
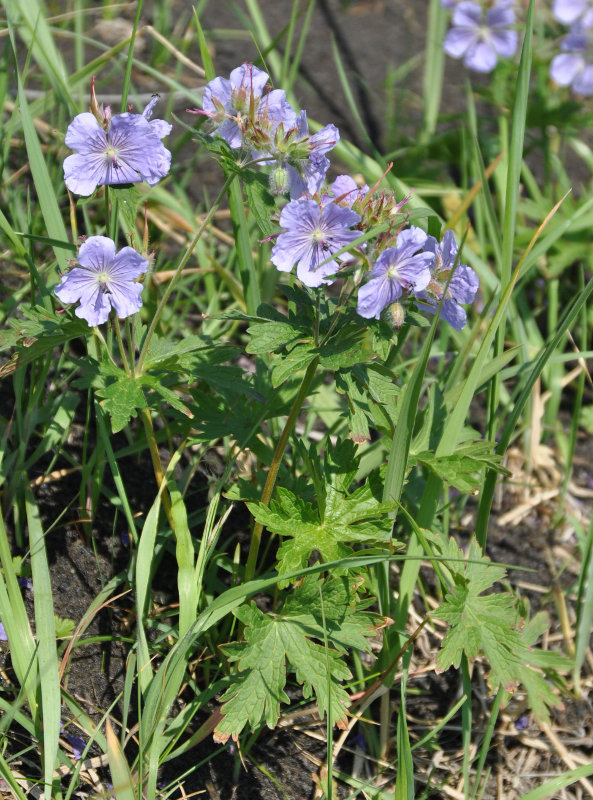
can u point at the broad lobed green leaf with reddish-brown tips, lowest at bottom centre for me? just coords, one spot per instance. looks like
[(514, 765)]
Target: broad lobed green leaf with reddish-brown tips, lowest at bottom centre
[(294, 640)]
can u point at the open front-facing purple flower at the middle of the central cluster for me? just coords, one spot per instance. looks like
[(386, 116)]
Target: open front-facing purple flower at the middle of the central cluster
[(313, 233)]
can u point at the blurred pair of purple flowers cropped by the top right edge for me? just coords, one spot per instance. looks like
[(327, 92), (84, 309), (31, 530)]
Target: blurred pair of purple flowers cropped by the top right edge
[(573, 67)]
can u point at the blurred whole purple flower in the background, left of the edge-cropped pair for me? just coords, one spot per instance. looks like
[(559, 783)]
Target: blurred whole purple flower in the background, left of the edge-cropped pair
[(481, 38)]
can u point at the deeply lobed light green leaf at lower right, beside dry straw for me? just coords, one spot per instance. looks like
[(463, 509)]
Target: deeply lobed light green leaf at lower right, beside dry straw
[(492, 626)]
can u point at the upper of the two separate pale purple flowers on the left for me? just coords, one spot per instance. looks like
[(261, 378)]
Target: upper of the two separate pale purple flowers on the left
[(127, 148)]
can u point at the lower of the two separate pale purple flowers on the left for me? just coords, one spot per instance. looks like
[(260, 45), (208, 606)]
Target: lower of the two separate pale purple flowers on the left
[(103, 280)]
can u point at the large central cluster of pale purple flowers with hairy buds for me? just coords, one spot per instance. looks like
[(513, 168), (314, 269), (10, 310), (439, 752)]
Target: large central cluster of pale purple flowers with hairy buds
[(320, 224)]
